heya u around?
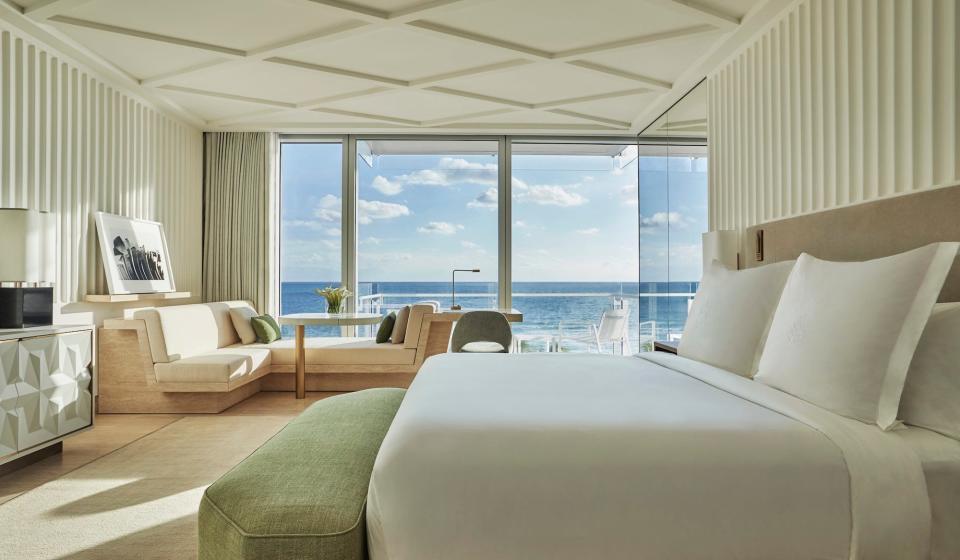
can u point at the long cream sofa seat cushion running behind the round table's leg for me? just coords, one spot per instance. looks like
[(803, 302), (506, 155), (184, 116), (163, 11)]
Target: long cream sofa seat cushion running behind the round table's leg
[(340, 351)]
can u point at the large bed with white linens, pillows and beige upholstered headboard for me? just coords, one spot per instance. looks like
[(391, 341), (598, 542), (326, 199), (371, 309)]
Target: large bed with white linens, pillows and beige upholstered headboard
[(772, 455)]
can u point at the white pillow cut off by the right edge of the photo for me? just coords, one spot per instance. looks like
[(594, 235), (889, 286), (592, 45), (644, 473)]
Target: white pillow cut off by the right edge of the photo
[(931, 397)]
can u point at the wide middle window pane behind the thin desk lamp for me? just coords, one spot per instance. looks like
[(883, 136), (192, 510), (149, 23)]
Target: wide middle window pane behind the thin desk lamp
[(424, 208)]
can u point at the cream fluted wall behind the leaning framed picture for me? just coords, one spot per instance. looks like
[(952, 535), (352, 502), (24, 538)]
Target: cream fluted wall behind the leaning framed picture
[(72, 144)]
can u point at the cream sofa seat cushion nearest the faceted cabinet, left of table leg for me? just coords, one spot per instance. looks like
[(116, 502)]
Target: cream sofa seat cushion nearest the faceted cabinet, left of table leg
[(220, 366)]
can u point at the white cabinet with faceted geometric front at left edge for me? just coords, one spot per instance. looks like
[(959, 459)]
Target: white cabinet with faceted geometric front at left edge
[(46, 389)]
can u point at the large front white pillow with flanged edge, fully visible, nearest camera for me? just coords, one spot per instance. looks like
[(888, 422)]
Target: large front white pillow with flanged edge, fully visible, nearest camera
[(844, 333)]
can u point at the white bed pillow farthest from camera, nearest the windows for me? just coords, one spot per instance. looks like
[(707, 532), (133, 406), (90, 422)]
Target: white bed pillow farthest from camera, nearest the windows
[(730, 315)]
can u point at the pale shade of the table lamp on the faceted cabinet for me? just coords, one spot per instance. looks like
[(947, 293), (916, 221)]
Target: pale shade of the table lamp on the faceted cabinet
[(26, 243)]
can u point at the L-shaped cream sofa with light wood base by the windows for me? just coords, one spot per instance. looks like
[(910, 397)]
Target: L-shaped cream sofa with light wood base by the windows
[(190, 359)]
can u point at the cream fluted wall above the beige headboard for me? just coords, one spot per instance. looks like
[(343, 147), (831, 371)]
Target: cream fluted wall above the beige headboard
[(840, 102)]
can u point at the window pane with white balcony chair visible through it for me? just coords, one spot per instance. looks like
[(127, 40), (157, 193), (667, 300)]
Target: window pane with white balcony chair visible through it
[(575, 257)]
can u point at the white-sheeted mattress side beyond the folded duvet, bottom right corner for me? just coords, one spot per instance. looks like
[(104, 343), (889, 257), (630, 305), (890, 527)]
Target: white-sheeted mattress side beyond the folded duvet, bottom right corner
[(940, 460)]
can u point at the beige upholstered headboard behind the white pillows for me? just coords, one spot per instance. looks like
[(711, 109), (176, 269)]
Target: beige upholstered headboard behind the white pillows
[(865, 231)]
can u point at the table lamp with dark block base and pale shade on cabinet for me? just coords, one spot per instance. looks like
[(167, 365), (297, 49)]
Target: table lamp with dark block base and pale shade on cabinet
[(28, 262)]
